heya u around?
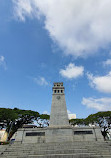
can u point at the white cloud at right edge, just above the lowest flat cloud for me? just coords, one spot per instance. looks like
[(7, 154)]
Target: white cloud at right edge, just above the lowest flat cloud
[(100, 83)]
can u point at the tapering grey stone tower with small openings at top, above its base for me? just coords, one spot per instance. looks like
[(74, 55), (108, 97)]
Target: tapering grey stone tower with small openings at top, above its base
[(58, 116)]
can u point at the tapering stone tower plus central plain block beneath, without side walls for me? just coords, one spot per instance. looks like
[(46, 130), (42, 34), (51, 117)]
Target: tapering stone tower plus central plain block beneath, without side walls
[(59, 129)]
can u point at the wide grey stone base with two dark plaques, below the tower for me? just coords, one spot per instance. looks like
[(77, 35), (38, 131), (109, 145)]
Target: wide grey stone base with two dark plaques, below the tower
[(58, 134)]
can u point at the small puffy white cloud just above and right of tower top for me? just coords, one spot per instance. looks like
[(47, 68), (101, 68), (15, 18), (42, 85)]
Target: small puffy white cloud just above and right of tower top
[(71, 71)]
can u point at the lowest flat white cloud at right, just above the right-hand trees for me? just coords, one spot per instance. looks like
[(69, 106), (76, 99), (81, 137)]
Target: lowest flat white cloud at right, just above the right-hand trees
[(101, 104)]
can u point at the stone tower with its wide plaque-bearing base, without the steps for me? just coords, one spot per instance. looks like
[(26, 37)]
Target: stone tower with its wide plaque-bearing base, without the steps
[(59, 129)]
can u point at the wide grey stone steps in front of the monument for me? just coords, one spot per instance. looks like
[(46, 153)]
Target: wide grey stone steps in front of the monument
[(58, 150)]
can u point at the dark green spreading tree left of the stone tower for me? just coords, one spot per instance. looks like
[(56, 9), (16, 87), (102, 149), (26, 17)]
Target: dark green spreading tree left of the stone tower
[(15, 118)]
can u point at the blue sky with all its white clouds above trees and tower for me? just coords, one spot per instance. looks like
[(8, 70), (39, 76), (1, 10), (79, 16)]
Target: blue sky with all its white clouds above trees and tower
[(42, 43)]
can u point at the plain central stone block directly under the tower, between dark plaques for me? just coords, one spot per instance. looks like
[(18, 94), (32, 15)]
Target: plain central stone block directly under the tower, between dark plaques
[(59, 134)]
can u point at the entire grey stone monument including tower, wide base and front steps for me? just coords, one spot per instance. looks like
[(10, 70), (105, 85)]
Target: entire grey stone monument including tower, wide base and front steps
[(59, 140)]
